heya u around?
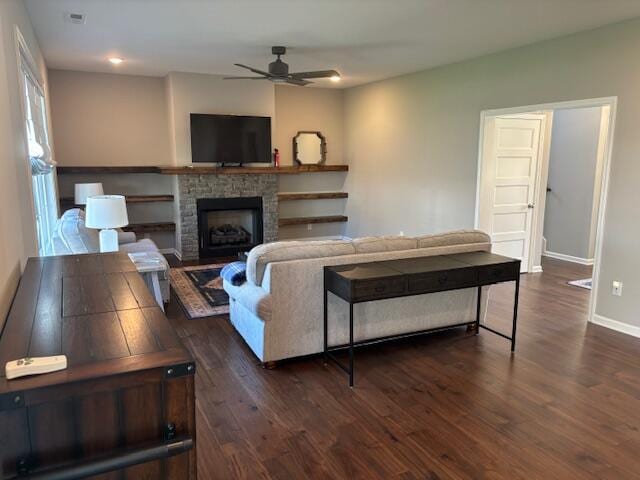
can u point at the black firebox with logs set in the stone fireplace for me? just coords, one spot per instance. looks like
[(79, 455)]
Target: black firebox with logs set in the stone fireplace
[(227, 226)]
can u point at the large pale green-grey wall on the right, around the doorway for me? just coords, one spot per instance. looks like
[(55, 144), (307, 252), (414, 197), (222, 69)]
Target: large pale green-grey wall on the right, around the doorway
[(412, 141)]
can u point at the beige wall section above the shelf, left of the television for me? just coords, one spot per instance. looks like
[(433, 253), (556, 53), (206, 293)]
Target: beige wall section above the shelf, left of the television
[(105, 119)]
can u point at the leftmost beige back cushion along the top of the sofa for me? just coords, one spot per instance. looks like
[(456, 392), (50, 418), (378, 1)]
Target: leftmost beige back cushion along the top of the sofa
[(261, 255)]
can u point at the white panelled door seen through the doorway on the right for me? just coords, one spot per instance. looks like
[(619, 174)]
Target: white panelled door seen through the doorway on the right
[(512, 150)]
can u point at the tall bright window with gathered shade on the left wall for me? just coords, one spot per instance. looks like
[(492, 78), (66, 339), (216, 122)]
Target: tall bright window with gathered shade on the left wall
[(43, 176)]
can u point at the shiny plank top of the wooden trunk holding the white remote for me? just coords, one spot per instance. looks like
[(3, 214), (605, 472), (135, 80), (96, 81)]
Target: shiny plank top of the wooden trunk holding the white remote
[(97, 310)]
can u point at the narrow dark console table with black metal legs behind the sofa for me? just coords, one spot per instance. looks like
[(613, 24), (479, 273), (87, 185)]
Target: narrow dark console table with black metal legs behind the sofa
[(366, 282)]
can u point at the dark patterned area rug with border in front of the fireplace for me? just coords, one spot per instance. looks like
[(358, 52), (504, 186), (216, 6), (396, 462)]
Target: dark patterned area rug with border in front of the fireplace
[(199, 290)]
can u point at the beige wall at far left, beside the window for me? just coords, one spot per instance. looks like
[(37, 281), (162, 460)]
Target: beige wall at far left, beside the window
[(17, 223)]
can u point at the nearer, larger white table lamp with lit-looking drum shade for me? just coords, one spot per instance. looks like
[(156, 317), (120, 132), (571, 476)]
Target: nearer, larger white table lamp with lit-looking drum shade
[(106, 212)]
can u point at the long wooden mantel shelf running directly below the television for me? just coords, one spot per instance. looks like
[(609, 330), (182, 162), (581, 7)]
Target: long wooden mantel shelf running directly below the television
[(189, 170)]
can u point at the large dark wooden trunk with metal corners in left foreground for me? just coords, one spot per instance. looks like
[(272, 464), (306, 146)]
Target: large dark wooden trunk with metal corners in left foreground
[(124, 407)]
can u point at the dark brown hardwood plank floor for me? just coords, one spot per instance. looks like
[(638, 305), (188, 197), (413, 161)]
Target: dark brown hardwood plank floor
[(447, 406)]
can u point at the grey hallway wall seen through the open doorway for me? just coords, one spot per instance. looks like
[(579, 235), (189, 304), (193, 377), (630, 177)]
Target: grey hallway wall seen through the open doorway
[(573, 159)]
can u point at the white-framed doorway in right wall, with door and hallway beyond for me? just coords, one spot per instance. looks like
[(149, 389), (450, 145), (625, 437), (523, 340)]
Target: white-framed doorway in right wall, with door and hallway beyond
[(537, 193)]
